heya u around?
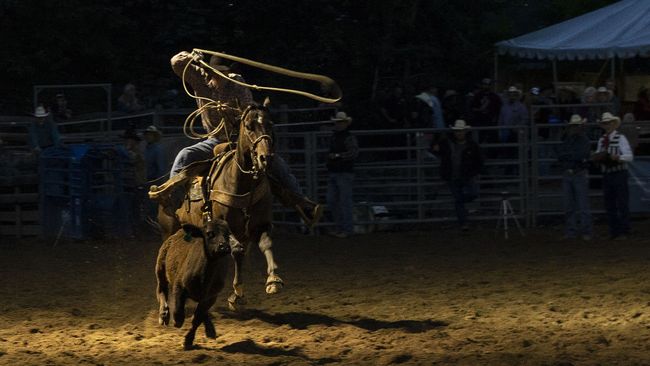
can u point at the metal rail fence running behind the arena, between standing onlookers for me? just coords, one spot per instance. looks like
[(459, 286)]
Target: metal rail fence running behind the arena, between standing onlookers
[(396, 177)]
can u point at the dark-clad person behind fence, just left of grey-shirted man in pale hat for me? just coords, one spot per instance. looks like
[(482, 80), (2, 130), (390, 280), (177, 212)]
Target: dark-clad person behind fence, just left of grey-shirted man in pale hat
[(485, 107)]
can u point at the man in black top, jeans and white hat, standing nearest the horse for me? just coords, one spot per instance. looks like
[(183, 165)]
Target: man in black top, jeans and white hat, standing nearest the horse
[(343, 151)]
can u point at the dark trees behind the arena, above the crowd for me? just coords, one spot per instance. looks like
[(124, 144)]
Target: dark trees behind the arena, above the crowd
[(364, 45)]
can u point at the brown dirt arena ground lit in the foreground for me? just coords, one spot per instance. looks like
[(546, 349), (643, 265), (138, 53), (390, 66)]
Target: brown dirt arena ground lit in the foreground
[(414, 298)]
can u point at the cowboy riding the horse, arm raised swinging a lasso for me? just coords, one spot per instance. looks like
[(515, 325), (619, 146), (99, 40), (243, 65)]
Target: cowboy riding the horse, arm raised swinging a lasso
[(220, 121)]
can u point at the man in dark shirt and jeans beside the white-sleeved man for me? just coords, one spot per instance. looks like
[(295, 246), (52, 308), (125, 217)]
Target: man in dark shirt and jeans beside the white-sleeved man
[(573, 155)]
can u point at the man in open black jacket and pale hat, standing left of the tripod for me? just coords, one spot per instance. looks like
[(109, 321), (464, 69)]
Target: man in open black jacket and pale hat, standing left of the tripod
[(460, 162)]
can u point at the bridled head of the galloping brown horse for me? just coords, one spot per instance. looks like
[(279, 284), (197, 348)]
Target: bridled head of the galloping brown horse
[(255, 143)]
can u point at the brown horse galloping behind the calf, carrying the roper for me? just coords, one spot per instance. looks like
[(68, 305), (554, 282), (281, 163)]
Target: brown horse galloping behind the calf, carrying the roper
[(237, 190)]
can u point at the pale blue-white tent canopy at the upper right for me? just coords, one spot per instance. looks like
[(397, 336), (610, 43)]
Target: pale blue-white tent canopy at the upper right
[(620, 30)]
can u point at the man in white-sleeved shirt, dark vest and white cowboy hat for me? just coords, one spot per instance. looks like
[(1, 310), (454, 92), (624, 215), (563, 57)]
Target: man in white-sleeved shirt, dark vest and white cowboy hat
[(613, 154)]
